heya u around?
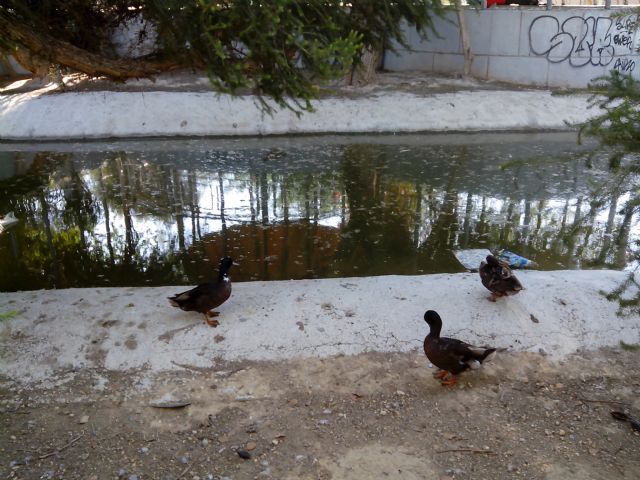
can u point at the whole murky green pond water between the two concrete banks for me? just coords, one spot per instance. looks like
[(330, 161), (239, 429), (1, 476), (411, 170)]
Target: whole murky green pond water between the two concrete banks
[(163, 212)]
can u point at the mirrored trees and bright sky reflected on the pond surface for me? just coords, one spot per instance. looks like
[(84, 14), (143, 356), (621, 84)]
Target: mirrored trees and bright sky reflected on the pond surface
[(127, 221)]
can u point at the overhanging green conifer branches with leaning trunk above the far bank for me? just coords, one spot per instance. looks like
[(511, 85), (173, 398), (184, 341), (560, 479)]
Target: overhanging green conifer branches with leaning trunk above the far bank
[(278, 49)]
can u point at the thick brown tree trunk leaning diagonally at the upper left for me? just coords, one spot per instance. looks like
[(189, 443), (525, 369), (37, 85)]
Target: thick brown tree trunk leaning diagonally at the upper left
[(36, 49)]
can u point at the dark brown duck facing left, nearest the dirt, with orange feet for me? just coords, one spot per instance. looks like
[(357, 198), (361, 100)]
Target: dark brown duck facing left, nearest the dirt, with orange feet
[(450, 355)]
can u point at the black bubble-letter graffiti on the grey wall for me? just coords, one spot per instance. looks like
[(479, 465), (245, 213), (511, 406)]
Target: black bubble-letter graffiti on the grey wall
[(597, 41)]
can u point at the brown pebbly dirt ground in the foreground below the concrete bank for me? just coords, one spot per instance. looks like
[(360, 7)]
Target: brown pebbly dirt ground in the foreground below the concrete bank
[(364, 417)]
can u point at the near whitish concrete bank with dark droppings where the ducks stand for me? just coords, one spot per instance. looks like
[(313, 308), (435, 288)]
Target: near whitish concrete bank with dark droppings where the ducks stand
[(131, 328)]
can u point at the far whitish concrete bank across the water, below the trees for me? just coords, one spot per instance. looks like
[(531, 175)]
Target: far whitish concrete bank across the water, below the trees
[(109, 114)]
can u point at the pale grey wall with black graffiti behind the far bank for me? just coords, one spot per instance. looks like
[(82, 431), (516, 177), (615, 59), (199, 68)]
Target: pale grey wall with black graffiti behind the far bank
[(564, 47)]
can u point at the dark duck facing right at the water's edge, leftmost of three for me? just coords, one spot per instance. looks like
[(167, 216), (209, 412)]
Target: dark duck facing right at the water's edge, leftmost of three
[(207, 296)]
